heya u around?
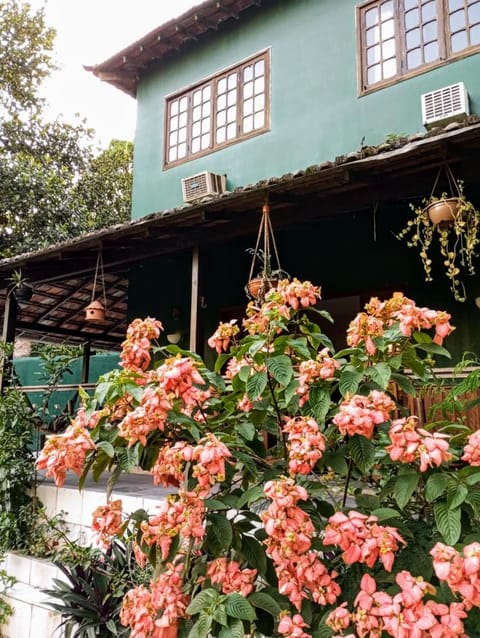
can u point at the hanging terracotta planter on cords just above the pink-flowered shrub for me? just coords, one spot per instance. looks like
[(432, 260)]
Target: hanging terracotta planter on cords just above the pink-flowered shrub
[(268, 276)]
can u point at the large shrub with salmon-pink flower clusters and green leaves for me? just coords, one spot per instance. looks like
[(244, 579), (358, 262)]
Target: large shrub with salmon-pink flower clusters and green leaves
[(303, 499)]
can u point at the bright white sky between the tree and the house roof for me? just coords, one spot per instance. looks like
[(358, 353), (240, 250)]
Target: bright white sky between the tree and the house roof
[(89, 32)]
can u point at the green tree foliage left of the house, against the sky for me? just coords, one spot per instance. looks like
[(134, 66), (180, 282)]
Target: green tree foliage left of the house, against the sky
[(54, 184)]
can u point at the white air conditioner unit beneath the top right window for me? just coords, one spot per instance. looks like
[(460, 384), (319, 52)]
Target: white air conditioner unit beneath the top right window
[(445, 105)]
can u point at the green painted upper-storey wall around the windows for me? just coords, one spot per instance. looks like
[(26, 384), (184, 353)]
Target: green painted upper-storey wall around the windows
[(316, 113)]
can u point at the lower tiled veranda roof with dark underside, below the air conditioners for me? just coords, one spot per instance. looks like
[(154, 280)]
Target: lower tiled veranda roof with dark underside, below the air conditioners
[(63, 274)]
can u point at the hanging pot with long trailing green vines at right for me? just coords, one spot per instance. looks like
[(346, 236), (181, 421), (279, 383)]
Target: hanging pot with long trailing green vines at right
[(455, 222)]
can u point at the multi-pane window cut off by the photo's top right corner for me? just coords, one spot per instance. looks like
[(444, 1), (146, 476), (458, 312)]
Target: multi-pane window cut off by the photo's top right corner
[(399, 37)]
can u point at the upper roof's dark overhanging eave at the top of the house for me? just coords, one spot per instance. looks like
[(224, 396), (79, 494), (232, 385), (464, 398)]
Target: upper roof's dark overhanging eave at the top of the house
[(123, 69)]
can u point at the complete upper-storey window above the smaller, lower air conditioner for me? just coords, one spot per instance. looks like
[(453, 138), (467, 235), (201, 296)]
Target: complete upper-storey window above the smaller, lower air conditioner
[(224, 109)]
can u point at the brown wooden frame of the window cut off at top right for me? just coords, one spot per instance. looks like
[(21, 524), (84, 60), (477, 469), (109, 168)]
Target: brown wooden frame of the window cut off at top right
[(446, 56)]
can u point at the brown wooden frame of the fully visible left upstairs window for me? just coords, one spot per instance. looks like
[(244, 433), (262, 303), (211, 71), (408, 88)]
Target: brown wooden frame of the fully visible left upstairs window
[(212, 82)]
